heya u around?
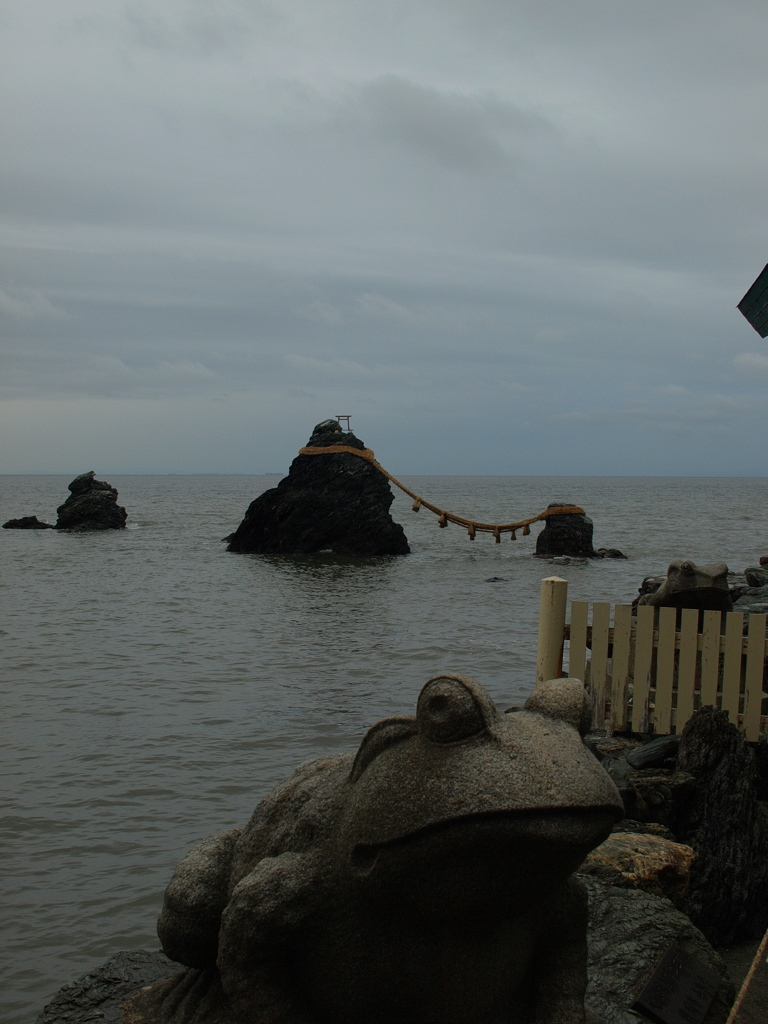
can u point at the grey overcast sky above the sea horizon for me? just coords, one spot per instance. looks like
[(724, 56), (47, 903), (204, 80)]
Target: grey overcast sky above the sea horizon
[(506, 236)]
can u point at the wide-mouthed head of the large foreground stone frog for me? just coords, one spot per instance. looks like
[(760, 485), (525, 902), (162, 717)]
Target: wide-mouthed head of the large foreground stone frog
[(464, 801)]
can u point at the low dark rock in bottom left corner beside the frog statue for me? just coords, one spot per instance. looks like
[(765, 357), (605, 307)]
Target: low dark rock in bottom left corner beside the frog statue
[(98, 997)]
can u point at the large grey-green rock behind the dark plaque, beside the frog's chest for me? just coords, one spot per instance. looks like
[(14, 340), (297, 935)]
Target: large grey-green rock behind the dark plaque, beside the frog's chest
[(629, 933)]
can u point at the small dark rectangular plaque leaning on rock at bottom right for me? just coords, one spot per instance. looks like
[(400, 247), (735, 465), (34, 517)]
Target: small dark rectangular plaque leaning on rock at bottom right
[(679, 992)]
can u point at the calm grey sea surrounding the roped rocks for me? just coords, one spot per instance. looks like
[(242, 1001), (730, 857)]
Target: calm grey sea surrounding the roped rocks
[(155, 688)]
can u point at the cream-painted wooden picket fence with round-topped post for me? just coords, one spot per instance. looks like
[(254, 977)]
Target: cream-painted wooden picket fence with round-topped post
[(645, 674)]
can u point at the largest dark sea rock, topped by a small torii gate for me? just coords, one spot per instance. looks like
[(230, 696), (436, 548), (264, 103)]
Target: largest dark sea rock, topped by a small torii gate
[(334, 502)]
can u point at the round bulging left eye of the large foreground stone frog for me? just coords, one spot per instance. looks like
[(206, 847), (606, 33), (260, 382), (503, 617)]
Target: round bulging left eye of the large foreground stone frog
[(454, 708)]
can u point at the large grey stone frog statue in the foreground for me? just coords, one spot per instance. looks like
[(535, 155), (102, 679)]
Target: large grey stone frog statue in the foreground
[(425, 880)]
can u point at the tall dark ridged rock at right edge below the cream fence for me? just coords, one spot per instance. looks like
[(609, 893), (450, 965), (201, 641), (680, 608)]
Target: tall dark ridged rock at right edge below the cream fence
[(727, 826)]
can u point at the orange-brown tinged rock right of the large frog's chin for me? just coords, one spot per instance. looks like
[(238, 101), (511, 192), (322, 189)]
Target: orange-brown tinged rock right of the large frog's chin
[(643, 862)]
